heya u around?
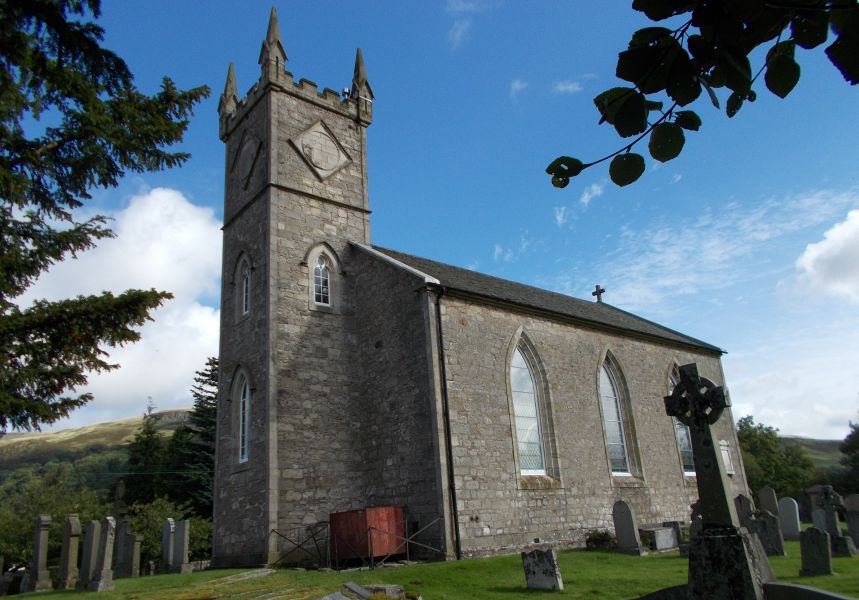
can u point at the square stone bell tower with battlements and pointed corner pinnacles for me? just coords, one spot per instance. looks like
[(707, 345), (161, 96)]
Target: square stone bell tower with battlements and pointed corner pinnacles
[(295, 196)]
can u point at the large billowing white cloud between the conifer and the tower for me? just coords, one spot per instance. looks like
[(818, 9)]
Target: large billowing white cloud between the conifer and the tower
[(163, 242)]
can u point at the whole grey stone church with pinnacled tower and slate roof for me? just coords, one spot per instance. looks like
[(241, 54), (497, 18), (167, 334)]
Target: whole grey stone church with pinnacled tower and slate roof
[(356, 376)]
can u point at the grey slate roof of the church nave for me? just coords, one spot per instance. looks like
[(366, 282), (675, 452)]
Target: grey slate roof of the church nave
[(596, 314)]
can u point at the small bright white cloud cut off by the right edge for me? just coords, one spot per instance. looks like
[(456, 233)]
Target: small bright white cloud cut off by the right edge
[(832, 264)]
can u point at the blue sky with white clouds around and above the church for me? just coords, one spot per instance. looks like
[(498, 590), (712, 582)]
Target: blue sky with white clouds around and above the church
[(749, 240)]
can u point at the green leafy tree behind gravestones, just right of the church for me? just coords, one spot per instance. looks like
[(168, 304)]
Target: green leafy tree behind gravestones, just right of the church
[(769, 461)]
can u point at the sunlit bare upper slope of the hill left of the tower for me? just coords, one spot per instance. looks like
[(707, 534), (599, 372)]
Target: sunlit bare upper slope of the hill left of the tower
[(35, 448)]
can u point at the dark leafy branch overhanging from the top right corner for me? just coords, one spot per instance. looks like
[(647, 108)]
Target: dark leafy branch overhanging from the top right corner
[(709, 49)]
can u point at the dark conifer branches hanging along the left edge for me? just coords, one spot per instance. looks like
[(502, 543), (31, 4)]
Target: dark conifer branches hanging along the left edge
[(52, 64)]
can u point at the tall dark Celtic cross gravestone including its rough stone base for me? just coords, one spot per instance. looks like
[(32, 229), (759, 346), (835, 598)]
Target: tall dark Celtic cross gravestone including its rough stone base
[(725, 561)]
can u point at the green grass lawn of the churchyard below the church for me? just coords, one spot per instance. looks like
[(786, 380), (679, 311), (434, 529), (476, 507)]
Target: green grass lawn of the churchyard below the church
[(593, 575)]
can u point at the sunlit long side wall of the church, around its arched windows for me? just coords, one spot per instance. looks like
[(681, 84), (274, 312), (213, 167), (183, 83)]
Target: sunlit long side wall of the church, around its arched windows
[(501, 509)]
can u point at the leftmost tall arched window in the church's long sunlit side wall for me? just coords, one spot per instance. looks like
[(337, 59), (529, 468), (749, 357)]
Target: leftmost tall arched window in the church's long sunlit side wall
[(532, 460)]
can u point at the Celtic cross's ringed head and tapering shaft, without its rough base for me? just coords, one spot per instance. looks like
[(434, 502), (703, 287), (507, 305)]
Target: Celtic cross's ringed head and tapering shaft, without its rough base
[(698, 403)]
